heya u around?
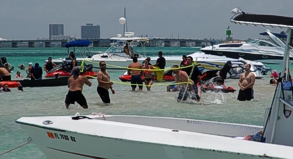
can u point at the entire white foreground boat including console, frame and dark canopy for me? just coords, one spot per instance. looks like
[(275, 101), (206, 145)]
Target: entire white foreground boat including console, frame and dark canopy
[(132, 137)]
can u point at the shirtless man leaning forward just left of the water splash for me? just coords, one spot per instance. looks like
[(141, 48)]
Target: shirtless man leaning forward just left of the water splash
[(181, 77)]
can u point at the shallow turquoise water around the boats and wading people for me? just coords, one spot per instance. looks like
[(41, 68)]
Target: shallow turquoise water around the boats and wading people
[(157, 102)]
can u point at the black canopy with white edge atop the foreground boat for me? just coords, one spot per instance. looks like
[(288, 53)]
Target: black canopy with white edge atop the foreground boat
[(241, 17)]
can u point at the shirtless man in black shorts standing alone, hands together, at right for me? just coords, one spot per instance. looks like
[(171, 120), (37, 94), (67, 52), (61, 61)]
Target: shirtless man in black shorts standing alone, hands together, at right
[(246, 82)]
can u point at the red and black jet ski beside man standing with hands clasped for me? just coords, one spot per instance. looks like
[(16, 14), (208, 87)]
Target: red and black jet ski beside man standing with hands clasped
[(216, 84)]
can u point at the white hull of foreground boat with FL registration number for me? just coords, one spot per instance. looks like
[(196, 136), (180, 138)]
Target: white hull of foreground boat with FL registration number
[(133, 137)]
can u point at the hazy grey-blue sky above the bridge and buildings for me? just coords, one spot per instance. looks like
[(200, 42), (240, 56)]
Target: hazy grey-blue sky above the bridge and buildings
[(194, 19)]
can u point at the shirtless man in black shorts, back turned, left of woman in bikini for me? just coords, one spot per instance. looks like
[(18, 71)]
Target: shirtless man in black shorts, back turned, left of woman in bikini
[(135, 74)]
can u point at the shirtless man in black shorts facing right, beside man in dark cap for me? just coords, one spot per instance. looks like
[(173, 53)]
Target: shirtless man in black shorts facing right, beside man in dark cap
[(104, 83)]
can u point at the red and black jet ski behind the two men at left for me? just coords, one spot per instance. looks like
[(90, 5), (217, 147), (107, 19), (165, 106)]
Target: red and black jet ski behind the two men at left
[(64, 70)]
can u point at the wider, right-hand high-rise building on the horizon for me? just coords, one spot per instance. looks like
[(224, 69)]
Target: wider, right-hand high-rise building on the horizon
[(90, 31)]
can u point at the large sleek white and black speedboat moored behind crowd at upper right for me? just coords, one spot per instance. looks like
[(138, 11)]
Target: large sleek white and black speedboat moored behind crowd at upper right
[(254, 49)]
